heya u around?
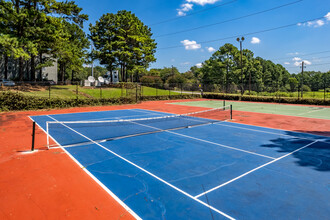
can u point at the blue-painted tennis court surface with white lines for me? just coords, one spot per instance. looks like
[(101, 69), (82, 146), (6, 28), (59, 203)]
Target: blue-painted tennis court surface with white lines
[(222, 170)]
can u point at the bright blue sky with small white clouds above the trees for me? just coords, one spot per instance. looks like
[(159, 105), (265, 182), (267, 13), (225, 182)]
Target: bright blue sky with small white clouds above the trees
[(308, 41)]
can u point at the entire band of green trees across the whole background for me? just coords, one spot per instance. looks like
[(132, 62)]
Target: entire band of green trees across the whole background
[(34, 33)]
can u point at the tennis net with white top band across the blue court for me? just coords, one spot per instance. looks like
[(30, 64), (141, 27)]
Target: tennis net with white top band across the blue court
[(74, 133)]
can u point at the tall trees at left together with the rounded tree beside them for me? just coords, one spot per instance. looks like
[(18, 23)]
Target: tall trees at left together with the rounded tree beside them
[(35, 33)]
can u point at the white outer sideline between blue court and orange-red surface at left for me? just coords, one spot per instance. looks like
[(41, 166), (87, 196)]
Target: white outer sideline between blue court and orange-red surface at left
[(93, 177)]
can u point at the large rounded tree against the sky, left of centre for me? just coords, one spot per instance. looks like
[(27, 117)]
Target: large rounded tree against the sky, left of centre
[(122, 40)]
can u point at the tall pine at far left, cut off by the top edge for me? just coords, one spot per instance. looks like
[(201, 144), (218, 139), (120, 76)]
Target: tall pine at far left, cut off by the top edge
[(37, 27)]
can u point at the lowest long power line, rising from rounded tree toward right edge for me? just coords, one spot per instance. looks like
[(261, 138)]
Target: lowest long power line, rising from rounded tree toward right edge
[(246, 34)]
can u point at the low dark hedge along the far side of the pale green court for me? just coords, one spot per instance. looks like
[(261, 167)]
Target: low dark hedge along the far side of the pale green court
[(289, 100)]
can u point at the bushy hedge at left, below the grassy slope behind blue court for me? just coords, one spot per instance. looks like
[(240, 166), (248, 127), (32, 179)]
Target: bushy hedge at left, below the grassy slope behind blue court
[(10, 101)]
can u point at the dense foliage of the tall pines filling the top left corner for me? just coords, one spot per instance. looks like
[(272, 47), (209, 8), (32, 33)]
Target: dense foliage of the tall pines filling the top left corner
[(30, 28)]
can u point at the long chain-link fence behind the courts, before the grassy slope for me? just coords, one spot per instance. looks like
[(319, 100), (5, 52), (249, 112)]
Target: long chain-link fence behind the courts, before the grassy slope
[(141, 91)]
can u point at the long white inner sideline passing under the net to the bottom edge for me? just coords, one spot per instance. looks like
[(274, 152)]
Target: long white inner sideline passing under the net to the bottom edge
[(151, 174)]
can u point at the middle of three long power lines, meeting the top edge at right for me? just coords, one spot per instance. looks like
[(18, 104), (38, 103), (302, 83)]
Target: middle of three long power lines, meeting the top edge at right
[(229, 20)]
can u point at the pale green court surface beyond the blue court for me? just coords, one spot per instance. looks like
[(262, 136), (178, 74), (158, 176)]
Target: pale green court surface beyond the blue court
[(318, 112)]
